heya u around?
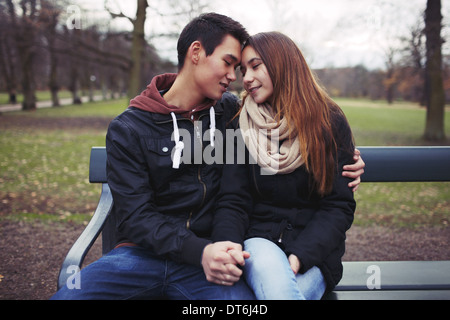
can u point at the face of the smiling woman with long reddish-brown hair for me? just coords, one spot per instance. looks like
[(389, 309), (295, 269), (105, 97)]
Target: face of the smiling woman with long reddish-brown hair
[(257, 81)]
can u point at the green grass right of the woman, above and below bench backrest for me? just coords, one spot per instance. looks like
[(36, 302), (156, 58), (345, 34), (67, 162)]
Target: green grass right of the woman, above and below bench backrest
[(396, 204)]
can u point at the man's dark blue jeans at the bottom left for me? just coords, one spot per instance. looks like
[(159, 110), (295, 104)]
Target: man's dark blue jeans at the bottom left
[(135, 273)]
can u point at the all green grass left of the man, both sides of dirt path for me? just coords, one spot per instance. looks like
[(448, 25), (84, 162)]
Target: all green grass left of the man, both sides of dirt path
[(46, 171)]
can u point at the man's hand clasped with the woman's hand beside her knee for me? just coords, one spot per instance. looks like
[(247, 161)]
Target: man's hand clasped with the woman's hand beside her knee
[(220, 262)]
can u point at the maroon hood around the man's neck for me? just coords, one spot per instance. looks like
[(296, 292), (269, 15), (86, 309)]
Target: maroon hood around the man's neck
[(151, 99)]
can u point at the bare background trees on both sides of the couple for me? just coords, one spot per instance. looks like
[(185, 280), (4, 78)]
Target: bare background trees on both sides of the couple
[(53, 45)]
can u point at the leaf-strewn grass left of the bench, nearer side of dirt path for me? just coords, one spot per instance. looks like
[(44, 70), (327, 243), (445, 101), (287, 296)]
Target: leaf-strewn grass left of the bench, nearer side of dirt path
[(47, 171)]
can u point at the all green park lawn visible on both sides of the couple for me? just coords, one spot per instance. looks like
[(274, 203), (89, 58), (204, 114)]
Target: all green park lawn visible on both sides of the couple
[(44, 173)]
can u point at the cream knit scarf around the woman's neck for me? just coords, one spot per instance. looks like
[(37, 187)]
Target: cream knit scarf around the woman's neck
[(262, 135)]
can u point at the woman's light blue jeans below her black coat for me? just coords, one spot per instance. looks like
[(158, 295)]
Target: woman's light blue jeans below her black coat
[(270, 276)]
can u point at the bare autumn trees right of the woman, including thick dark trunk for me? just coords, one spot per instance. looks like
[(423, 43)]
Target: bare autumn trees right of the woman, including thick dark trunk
[(415, 71)]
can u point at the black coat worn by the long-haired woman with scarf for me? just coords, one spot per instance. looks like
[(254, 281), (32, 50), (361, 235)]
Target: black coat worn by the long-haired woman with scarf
[(286, 210)]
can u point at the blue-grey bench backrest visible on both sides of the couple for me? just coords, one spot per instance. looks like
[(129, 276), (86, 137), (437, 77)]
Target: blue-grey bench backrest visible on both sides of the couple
[(383, 164)]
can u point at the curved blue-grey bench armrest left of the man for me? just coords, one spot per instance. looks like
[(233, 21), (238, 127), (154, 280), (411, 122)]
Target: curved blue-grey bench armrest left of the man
[(81, 247)]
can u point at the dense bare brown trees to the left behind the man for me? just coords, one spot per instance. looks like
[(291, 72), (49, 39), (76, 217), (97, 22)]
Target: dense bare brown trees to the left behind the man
[(52, 45)]
